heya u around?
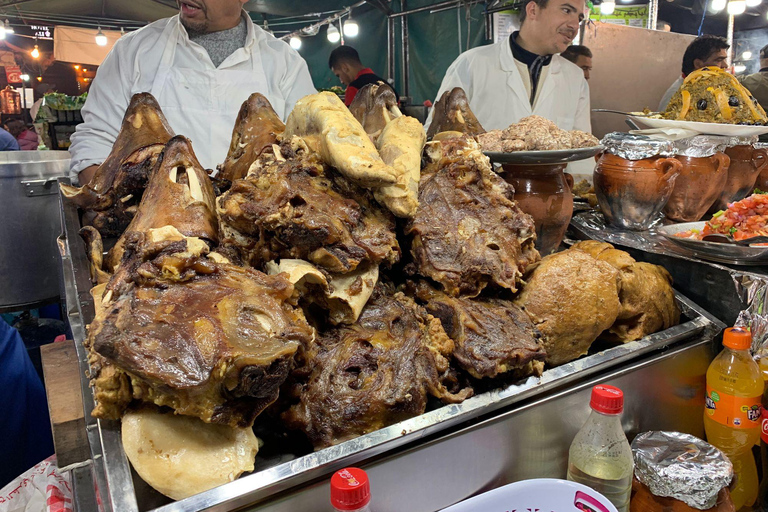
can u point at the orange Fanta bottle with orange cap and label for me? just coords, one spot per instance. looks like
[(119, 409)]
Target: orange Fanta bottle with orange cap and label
[(732, 411)]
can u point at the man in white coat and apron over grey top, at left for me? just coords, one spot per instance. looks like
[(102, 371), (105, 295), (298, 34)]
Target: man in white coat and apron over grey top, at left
[(200, 65)]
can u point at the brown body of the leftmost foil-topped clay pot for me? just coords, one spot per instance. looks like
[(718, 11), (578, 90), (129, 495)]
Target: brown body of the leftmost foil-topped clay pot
[(631, 193)]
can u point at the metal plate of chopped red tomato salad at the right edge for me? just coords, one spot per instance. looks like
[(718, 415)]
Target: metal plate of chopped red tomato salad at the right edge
[(742, 221)]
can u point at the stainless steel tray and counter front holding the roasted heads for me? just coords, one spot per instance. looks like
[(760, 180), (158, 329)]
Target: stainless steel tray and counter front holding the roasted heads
[(440, 457)]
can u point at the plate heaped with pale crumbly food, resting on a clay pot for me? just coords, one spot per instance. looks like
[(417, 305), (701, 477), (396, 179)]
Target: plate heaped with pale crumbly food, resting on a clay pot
[(537, 140)]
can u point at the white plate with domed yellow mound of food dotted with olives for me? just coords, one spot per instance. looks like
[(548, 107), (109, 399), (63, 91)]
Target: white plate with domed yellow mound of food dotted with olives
[(711, 101)]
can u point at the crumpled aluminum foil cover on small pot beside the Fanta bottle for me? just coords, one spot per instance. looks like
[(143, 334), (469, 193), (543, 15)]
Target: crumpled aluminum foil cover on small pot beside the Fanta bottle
[(681, 466)]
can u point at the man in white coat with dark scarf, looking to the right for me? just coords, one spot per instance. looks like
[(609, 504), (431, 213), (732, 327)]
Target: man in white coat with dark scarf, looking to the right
[(523, 75)]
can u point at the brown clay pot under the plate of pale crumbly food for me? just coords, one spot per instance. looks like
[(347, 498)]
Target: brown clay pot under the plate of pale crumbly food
[(544, 193)]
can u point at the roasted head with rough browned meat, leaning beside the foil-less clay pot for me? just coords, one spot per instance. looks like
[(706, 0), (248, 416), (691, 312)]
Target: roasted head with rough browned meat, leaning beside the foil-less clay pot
[(468, 232)]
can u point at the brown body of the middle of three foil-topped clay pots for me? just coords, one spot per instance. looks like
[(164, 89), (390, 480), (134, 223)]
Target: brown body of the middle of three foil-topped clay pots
[(699, 185)]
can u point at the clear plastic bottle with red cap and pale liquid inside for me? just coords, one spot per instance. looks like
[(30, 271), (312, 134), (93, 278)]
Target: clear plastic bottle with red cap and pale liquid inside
[(600, 456)]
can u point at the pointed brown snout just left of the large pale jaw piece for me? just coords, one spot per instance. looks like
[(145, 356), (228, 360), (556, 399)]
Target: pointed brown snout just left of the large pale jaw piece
[(257, 127)]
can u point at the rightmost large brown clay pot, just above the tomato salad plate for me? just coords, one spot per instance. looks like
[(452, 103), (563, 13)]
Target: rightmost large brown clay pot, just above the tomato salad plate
[(746, 165)]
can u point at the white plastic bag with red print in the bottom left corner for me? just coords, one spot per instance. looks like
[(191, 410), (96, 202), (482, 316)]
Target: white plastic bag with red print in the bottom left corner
[(40, 489)]
